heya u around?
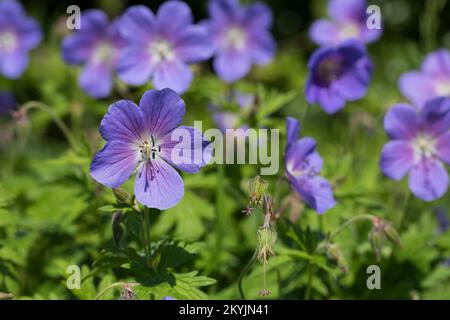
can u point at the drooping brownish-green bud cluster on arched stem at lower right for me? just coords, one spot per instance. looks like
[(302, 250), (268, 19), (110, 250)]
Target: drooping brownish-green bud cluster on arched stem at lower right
[(381, 231)]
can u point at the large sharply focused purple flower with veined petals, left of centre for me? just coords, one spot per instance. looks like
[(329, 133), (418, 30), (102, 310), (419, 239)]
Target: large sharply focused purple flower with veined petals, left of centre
[(146, 138)]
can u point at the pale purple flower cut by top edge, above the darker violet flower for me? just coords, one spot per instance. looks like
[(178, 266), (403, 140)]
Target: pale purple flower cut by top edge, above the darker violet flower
[(349, 22)]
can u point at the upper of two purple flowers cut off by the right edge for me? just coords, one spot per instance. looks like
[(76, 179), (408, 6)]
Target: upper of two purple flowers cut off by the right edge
[(431, 82)]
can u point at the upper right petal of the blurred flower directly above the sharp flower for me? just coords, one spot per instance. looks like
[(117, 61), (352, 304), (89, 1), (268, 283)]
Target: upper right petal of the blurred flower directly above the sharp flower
[(173, 16)]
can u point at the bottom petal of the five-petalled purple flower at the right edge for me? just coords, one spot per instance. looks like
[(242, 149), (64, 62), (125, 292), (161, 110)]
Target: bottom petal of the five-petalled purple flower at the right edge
[(428, 180)]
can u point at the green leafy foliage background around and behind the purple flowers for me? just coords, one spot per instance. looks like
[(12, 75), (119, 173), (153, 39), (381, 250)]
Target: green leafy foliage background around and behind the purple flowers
[(52, 214)]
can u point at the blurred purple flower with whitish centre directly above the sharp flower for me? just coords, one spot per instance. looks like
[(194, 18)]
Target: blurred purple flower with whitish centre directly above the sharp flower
[(161, 48)]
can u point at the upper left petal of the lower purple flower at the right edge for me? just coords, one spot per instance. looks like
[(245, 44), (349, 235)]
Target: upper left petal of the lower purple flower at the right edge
[(401, 122)]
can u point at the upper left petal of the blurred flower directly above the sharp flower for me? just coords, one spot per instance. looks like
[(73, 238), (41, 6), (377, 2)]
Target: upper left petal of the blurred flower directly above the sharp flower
[(137, 24)]
